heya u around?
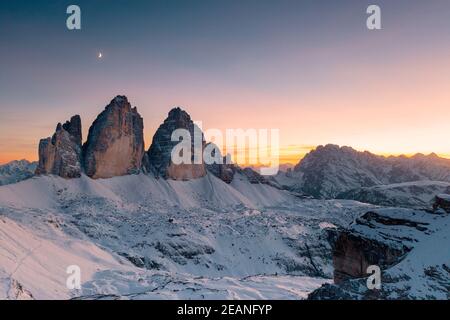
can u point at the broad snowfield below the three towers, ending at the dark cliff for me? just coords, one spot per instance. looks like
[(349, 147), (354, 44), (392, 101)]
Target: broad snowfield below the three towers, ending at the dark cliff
[(140, 237)]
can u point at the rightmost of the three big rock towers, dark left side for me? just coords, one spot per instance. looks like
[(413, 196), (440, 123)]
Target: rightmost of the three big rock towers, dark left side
[(159, 155)]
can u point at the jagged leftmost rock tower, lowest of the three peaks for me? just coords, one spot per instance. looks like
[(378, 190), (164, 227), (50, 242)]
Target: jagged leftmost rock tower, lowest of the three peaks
[(61, 154)]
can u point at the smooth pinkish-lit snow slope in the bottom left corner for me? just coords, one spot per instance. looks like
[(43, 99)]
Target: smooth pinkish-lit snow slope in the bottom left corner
[(34, 259)]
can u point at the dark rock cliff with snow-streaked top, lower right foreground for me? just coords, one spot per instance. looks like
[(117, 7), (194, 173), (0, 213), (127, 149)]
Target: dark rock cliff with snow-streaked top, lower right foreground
[(380, 237)]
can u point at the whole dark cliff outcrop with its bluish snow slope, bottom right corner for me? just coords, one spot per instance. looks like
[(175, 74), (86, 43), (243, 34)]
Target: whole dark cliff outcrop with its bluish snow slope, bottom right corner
[(410, 247)]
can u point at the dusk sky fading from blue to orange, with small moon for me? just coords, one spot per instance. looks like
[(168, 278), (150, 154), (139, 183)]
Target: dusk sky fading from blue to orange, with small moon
[(311, 69)]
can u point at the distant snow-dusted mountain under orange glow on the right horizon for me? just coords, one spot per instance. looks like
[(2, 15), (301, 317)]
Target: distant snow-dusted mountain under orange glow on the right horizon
[(330, 170)]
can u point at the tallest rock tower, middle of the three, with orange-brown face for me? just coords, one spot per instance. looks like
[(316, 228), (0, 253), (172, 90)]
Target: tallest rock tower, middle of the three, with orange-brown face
[(115, 144)]
